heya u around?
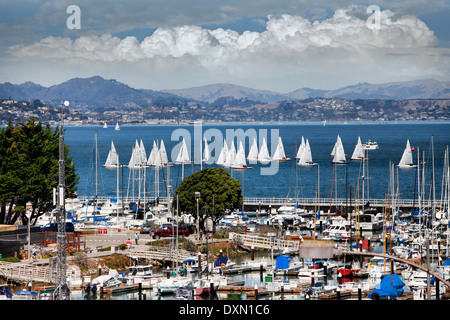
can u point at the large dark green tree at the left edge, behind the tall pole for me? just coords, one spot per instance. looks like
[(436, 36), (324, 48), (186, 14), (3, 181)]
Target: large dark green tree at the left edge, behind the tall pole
[(29, 170)]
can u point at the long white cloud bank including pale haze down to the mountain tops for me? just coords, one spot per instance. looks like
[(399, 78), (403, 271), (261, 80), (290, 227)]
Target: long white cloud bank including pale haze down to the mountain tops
[(288, 52)]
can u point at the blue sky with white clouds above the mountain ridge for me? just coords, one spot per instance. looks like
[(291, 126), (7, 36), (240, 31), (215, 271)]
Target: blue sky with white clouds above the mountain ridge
[(279, 45)]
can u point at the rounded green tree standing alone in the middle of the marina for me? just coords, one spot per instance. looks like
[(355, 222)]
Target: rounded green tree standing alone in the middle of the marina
[(219, 192)]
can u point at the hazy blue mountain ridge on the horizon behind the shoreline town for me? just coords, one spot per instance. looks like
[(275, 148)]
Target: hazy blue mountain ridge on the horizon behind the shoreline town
[(98, 92)]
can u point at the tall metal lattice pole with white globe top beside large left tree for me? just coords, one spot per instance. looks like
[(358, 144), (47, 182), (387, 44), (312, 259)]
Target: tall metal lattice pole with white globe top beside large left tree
[(61, 292)]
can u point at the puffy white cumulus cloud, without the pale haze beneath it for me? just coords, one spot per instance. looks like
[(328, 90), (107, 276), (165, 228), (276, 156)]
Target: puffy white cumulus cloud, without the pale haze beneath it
[(290, 45)]
